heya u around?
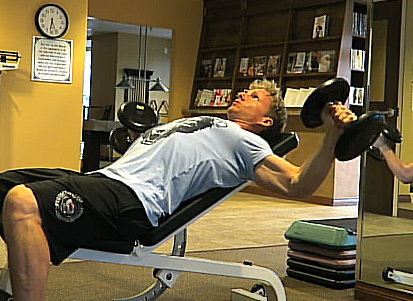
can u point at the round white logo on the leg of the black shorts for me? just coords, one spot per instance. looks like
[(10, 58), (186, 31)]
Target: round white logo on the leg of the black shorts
[(68, 206)]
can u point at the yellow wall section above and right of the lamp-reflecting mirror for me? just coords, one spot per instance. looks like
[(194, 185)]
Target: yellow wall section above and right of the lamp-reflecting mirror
[(184, 17)]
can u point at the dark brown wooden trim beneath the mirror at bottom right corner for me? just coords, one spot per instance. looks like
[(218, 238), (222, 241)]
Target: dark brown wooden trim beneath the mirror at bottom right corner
[(367, 292)]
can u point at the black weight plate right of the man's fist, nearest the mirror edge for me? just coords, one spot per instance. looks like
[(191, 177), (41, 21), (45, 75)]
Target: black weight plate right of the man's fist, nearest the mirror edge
[(359, 135)]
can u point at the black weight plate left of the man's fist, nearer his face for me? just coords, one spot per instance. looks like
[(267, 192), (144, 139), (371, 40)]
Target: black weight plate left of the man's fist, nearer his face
[(333, 90)]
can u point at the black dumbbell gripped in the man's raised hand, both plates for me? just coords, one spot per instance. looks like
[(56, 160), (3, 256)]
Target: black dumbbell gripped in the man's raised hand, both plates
[(359, 135)]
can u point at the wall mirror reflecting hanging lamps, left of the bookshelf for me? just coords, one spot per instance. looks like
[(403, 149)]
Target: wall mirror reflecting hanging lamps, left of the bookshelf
[(136, 53)]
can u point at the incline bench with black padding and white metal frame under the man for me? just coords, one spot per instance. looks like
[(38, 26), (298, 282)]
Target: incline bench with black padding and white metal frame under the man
[(167, 268)]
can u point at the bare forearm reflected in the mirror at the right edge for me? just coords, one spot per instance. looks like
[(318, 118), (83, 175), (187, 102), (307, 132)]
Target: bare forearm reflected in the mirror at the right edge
[(403, 171)]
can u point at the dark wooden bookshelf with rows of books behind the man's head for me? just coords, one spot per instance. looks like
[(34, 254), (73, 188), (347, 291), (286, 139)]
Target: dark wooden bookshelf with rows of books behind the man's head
[(257, 30)]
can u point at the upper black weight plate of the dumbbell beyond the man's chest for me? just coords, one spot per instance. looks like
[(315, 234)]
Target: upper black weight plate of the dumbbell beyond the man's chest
[(137, 116)]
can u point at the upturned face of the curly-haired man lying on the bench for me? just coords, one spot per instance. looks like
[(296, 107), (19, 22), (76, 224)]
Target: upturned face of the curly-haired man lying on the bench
[(251, 106)]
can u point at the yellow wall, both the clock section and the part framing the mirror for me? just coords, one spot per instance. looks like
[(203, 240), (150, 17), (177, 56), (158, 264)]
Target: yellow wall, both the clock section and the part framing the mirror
[(41, 122)]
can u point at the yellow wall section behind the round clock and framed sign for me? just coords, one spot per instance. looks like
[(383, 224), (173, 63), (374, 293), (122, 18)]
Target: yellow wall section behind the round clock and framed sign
[(40, 122)]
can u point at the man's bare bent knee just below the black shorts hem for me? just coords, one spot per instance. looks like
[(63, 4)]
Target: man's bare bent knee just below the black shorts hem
[(20, 203)]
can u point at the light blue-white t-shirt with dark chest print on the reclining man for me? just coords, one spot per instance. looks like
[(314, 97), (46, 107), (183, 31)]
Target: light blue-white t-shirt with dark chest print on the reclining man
[(176, 161)]
